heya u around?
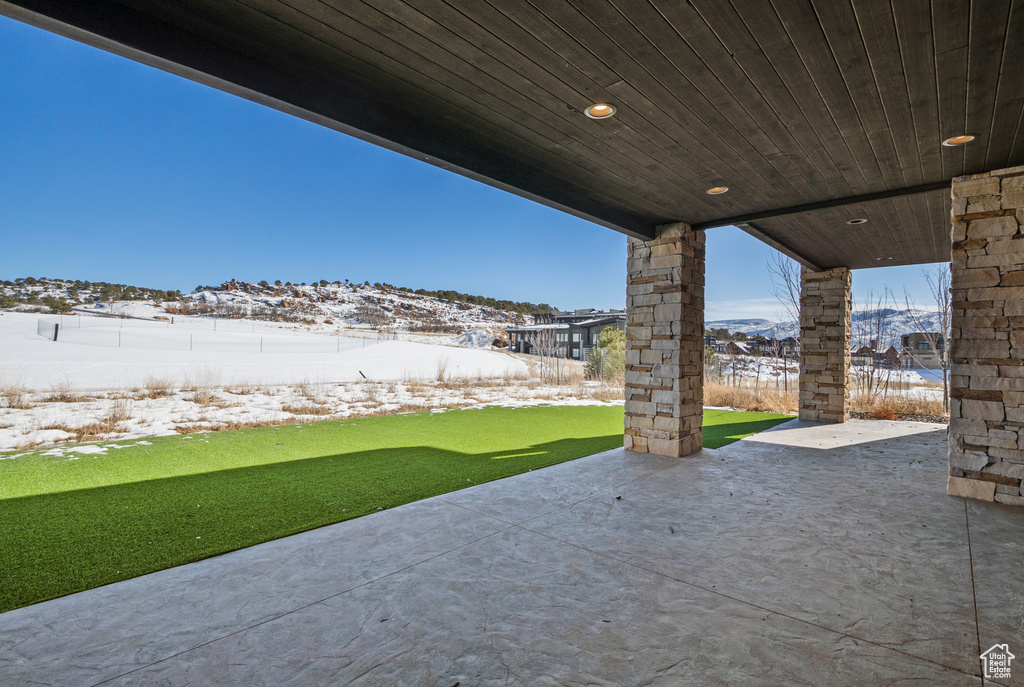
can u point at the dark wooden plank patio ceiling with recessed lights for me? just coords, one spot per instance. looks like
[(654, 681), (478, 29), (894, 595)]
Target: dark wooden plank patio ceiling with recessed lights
[(812, 112)]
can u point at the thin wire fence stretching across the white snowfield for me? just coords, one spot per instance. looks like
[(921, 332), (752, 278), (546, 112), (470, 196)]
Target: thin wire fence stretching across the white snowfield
[(167, 336)]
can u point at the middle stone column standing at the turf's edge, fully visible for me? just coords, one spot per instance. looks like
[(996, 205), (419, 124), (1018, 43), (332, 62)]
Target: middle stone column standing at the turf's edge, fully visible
[(665, 342)]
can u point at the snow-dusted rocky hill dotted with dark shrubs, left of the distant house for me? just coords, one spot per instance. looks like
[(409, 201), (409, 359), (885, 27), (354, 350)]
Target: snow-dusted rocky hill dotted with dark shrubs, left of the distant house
[(334, 305)]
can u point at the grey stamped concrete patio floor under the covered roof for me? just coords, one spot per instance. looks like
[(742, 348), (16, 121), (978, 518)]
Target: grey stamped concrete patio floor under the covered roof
[(806, 555)]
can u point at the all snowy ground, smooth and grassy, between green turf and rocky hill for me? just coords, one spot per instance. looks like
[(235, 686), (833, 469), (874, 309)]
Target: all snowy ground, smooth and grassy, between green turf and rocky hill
[(86, 389)]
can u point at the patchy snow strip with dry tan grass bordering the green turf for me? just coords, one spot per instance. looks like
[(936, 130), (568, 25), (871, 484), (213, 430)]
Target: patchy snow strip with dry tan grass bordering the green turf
[(47, 419)]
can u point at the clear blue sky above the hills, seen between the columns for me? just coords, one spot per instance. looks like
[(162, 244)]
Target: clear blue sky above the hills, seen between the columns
[(117, 173)]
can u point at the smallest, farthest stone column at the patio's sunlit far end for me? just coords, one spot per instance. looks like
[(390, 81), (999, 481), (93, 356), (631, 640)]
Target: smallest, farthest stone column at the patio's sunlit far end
[(826, 307)]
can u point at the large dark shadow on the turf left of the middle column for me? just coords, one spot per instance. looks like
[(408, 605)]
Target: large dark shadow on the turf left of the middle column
[(58, 544)]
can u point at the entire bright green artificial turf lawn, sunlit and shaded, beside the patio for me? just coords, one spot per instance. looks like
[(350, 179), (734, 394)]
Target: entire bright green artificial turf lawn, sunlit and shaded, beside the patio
[(74, 522)]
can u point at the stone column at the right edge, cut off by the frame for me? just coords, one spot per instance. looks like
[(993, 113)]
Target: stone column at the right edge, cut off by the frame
[(987, 407)]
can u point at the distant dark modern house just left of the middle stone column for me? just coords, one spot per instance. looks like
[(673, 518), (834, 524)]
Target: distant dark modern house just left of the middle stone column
[(571, 335)]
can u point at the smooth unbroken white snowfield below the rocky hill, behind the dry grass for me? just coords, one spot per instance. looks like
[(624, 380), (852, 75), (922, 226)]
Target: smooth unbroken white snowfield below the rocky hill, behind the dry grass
[(89, 359)]
